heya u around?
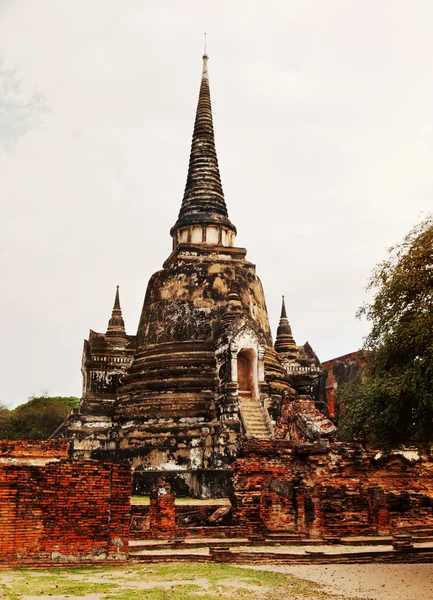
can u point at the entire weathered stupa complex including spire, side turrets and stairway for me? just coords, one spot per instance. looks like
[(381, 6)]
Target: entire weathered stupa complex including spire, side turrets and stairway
[(202, 374)]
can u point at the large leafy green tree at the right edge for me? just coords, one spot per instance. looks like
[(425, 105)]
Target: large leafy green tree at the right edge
[(391, 402)]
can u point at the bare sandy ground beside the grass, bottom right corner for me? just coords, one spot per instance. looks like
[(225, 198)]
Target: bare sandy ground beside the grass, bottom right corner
[(375, 582)]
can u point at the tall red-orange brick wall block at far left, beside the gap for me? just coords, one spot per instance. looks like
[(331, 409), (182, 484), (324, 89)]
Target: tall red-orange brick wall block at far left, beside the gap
[(63, 510)]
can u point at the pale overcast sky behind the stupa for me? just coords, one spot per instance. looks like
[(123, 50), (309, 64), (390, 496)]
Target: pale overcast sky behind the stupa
[(323, 114)]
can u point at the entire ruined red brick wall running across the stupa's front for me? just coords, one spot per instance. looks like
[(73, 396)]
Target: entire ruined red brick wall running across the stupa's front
[(65, 511)]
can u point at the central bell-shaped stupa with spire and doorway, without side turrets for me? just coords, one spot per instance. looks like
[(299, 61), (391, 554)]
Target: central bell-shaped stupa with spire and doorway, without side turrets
[(203, 313)]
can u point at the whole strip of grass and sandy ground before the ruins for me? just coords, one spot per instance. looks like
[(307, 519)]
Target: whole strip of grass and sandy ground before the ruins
[(189, 581)]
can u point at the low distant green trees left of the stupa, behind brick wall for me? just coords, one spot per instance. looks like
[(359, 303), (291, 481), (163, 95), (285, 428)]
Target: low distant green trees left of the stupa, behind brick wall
[(37, 419)]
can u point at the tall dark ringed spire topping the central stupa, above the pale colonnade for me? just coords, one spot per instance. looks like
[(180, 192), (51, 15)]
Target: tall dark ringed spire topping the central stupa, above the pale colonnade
[(203, 201)]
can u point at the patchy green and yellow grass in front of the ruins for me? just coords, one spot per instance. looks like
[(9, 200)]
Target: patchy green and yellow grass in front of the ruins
[(160, 582)]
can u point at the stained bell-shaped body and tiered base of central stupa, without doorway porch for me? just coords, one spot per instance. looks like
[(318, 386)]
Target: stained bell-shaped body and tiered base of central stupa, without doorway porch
[(169, 408)]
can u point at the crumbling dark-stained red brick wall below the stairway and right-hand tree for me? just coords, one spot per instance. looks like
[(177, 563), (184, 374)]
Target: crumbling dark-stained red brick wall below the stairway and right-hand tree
[(316, 490)]
